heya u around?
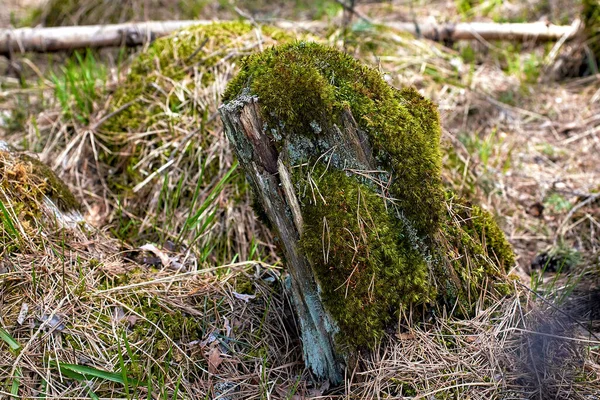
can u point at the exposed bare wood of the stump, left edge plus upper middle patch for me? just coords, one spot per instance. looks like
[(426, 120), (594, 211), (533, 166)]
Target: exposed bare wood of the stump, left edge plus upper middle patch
[(269, 174)]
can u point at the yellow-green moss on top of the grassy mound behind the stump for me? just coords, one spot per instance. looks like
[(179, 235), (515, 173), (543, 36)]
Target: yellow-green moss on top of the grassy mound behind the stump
[(172, 59)]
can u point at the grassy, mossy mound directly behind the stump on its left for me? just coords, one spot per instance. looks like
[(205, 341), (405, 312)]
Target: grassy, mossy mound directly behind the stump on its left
[(164, 147)]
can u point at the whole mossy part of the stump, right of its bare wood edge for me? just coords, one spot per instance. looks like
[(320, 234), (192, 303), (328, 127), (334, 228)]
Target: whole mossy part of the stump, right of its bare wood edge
[(381, 235)]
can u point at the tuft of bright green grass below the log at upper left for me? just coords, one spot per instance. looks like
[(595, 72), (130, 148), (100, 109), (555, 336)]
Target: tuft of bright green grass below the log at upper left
[(79, 85)]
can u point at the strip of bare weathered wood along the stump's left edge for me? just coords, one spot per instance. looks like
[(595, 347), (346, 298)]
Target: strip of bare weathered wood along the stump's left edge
[(259, 160)]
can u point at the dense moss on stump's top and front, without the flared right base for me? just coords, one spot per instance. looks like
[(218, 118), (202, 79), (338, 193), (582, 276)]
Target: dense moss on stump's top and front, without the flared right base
[(376, 261)]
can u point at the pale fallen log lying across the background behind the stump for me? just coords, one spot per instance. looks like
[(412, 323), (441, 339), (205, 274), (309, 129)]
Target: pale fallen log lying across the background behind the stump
[(43, 40)]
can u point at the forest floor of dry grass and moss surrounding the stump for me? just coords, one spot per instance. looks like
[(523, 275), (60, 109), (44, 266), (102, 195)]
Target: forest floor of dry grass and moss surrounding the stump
[(199, 311)]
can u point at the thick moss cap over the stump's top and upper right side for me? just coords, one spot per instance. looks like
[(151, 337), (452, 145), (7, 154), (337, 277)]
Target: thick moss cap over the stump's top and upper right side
[(305, 86)]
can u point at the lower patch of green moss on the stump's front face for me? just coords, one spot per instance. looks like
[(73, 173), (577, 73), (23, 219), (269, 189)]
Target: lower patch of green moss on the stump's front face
[(368, 271)]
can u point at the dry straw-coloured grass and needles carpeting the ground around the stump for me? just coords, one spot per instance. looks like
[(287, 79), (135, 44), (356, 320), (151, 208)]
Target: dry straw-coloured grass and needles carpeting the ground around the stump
[(527, 151)]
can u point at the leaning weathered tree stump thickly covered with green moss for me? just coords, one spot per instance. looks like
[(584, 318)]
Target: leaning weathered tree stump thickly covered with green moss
[(347, 171)]
